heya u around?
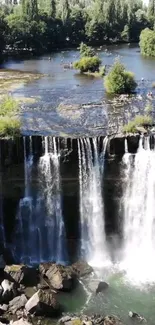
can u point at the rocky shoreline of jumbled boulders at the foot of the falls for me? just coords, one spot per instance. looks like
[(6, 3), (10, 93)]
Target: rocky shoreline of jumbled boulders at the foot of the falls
[(47, 281)]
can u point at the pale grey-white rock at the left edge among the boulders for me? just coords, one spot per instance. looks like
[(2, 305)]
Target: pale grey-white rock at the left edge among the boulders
[(9, 291)]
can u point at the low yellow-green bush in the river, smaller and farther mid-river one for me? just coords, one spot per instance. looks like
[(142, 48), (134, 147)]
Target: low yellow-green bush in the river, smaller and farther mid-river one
[(88, 64)]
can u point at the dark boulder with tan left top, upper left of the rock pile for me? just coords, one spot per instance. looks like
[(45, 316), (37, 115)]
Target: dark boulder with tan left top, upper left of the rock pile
[(22, 274)]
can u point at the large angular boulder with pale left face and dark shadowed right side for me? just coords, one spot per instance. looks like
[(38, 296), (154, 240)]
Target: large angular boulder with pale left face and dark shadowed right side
[(43, 304)]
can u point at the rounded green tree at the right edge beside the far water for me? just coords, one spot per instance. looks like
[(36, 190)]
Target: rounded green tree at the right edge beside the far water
[(147, 42)]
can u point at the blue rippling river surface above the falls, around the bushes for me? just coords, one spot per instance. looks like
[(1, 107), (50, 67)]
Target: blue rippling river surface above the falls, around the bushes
[(68, 103)]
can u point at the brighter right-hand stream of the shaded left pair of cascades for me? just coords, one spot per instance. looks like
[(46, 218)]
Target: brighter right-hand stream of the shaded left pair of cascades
[(49, 170)]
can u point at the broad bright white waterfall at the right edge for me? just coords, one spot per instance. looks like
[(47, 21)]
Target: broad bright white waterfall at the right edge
[(139, 213)]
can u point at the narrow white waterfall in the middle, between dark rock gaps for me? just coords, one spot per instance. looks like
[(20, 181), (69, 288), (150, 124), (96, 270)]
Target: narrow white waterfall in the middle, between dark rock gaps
[(93, 241)]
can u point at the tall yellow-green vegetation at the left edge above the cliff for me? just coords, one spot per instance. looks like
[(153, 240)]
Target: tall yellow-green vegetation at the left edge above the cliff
[(9, 124)]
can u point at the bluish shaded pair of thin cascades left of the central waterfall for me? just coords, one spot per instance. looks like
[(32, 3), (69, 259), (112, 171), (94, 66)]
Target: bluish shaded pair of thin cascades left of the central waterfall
[(40, 234)]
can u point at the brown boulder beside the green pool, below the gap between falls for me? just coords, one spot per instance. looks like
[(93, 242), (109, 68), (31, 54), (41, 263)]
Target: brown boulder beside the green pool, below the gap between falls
[(60, 277)]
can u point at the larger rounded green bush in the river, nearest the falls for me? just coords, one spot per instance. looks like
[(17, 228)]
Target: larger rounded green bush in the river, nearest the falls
[(119, 81)]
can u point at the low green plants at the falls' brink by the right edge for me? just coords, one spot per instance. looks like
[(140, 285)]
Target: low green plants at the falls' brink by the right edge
[(139, 120)]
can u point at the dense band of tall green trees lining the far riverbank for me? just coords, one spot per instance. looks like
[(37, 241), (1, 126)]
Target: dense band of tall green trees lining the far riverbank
[(41, 25)]
